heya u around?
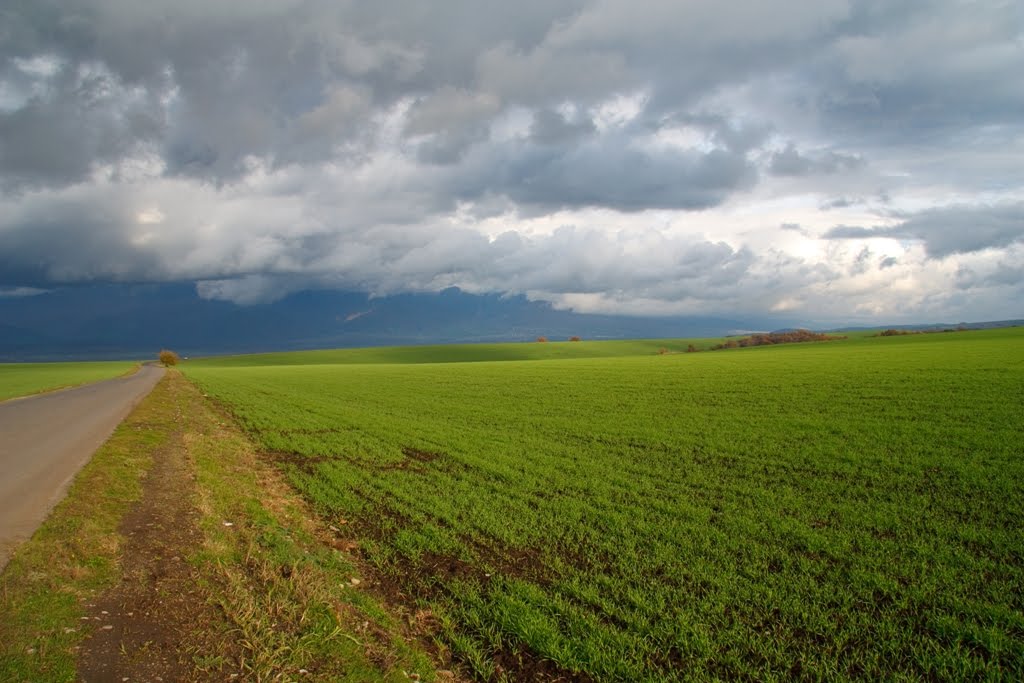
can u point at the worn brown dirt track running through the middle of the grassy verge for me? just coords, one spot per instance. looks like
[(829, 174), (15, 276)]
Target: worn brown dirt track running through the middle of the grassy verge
[(153, 625)]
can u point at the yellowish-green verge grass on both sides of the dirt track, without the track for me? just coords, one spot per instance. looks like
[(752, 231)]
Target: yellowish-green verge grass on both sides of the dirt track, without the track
[(294, 605)]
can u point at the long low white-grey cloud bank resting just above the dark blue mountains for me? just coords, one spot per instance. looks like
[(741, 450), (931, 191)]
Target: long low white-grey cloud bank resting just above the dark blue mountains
[(82, 240)]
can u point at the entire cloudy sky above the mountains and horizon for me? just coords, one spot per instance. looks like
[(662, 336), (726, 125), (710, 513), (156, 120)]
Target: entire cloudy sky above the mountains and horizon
[(824, 160)]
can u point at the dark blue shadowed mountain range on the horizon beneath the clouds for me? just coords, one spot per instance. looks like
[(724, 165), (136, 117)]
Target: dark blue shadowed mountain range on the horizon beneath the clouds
[(107, 322)]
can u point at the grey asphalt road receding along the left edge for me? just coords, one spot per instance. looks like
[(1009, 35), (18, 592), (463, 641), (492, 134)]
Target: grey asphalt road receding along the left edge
[(47, 440)]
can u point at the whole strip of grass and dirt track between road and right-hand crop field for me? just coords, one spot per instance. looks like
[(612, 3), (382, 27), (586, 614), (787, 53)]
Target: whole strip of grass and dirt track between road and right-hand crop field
[(197, 563)]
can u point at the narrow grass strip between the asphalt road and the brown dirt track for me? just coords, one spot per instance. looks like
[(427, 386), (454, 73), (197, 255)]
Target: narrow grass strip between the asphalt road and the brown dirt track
[(74, 556)]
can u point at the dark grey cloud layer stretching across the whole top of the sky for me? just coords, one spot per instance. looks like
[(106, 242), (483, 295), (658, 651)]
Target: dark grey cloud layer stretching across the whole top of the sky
[(224, 82)]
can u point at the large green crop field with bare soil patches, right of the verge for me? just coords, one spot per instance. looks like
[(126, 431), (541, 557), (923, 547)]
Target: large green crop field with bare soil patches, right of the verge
[(848, 509)]
